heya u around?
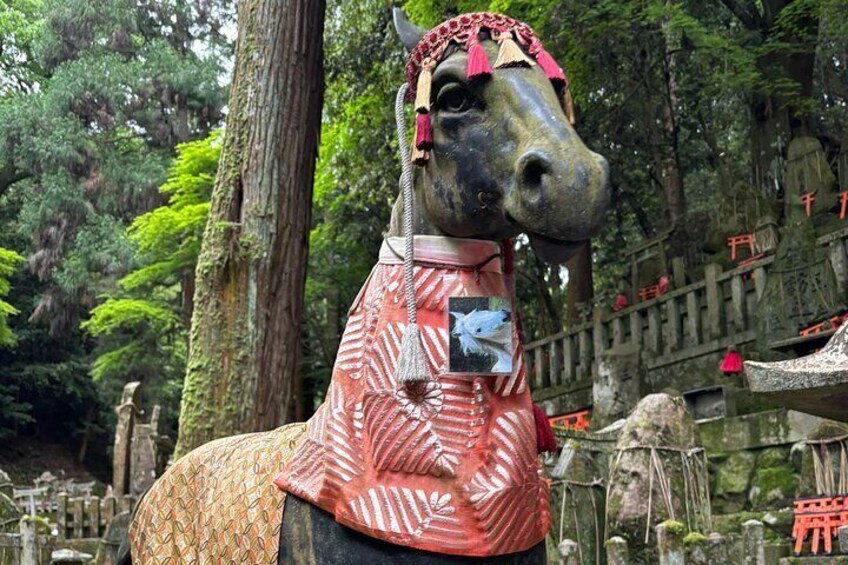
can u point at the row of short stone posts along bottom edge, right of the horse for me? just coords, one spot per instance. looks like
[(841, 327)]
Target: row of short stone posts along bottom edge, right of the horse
[(675, 547)]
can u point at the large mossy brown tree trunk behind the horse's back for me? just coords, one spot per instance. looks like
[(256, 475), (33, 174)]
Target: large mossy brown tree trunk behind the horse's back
[(245, 337)]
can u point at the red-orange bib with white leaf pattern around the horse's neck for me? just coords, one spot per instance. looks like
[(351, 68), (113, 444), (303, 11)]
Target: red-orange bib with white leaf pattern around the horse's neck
[(452, 468)]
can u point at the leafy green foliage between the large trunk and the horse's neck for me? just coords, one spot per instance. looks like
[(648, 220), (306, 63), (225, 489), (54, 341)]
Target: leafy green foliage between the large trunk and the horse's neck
[(356, 174)]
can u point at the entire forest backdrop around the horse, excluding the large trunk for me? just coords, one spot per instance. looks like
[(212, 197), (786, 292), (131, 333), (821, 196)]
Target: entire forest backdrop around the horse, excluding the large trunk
[(111, 117)]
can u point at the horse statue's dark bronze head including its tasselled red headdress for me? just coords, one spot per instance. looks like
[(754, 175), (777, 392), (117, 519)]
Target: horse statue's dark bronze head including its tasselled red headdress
[(496, 151)]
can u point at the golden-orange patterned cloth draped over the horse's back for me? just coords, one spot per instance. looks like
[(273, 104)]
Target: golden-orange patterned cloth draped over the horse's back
[(217, 504)]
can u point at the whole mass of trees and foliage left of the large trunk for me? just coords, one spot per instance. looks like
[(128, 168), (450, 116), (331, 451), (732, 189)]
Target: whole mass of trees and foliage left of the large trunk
[(99, 96)]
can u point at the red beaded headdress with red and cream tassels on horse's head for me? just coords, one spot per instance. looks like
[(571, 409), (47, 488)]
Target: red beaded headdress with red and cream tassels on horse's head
[(464, 31)]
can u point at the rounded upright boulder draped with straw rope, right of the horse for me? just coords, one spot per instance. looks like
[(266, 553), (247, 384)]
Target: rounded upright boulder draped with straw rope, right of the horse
[(658, 420)]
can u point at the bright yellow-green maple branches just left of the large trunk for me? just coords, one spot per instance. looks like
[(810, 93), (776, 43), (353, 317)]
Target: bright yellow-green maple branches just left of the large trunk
[(141, 326)]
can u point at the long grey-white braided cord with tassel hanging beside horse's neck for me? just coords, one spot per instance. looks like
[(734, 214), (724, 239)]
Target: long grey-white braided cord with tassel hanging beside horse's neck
[(412, 361)]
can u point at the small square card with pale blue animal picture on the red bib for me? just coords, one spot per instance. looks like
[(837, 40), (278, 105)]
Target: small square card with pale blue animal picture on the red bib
[(480, 330)]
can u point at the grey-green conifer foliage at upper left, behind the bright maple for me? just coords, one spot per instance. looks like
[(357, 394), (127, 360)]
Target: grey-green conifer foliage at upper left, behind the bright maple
[(120, 85)]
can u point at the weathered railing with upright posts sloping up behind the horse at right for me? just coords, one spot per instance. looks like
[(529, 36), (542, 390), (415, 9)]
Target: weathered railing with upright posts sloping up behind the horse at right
[(699, 318)]
